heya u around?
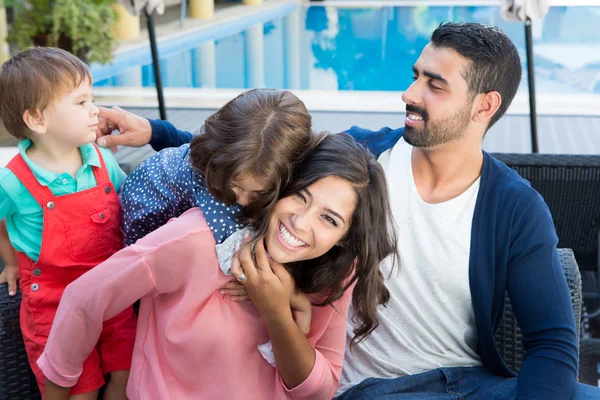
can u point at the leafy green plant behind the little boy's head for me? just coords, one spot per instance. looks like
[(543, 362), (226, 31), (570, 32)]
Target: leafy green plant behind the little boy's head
[(83, 27)]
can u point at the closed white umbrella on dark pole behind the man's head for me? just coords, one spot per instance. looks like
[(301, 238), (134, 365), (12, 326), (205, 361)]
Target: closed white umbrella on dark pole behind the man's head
[(527, 11)]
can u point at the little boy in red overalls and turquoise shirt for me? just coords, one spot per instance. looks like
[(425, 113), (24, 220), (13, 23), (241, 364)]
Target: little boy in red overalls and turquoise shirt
[(58, 198)]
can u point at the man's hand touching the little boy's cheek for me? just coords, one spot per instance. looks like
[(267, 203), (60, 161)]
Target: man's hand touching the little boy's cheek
[(135, 131)]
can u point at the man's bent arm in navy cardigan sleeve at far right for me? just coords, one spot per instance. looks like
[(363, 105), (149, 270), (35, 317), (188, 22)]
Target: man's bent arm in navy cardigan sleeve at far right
[(540, 297)]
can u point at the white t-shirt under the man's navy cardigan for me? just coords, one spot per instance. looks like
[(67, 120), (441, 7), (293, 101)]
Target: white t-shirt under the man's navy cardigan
[(429, 321)]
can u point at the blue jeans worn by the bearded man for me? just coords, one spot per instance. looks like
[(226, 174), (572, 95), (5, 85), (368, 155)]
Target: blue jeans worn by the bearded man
[(448, 384)]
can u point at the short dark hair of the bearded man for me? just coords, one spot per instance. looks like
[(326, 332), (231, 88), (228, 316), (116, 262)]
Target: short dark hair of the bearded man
[(495, 64)]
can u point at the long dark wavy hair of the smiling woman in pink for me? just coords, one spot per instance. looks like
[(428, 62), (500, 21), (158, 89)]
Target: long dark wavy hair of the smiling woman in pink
[(370, 238)]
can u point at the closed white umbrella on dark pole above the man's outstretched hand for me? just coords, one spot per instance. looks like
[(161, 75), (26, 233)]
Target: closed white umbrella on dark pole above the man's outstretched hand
[(135, 7)]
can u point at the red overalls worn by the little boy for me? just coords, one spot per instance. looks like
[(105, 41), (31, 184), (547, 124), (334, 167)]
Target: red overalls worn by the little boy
[(80, 231)]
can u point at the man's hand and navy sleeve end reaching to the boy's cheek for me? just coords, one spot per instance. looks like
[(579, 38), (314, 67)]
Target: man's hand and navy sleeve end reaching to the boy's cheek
[(136, 131)]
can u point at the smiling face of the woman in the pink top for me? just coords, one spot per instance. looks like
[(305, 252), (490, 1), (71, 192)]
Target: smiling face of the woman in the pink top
[(308, 224)]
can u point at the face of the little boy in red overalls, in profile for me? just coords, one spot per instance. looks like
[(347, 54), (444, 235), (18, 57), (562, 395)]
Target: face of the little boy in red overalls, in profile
[(72, 118)]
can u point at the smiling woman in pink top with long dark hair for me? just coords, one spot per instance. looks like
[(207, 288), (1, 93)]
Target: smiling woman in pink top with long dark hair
[(192, 342)]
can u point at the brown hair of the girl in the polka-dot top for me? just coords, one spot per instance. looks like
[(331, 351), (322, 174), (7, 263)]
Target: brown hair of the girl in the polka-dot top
[(263, 133)]
